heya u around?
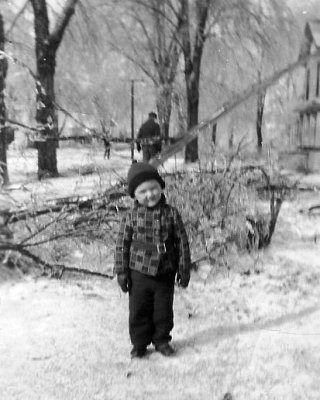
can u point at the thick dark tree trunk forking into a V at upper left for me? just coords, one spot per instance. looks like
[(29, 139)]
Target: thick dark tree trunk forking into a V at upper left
[(47, 44)]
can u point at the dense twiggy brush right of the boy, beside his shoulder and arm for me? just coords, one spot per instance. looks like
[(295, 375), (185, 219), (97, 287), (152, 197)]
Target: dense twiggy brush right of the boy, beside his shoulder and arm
[(222, 209)]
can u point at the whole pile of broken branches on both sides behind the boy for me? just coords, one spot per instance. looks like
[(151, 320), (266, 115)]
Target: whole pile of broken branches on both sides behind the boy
[(219, 216)]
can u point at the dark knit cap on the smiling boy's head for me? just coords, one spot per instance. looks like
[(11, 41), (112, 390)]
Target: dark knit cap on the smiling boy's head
[(140, 172)]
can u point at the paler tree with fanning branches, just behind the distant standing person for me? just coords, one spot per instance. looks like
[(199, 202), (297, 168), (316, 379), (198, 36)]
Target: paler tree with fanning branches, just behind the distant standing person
[(152, 31)]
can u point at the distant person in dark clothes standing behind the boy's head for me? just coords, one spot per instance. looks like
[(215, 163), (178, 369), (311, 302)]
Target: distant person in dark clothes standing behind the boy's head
[(149, 138)]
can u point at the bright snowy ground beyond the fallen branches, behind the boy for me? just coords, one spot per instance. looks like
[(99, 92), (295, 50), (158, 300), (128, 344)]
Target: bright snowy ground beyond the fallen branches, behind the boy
[(83, 171)]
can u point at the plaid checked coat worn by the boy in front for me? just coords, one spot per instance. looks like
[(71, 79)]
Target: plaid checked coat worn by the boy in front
[(160, 224)]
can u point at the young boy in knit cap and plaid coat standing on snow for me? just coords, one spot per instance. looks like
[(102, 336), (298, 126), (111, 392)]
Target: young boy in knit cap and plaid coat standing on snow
[(151, 249)]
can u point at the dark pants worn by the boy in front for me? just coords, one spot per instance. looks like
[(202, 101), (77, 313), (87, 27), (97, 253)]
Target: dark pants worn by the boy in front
[(150, 309)]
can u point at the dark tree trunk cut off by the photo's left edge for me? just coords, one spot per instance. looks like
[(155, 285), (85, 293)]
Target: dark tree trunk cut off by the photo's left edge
[(3, 142)]
